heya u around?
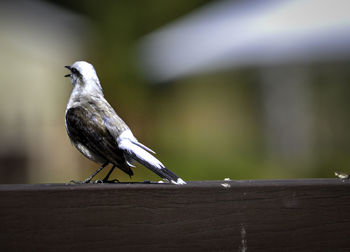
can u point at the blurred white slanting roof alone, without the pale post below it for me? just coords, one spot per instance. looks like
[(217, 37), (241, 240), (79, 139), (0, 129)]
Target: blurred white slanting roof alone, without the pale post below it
[(232, 34)]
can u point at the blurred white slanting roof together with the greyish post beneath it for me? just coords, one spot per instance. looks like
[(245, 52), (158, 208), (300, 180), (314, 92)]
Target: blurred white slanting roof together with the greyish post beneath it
[(278, 38)]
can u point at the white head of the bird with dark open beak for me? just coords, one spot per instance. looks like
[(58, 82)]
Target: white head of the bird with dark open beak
[(83, 74)]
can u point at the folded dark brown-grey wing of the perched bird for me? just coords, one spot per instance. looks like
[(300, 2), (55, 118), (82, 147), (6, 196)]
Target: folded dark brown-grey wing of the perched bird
[(87, 127)]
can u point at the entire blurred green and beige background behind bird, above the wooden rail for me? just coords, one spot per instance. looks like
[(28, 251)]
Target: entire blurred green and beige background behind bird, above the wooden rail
[(240, 89)]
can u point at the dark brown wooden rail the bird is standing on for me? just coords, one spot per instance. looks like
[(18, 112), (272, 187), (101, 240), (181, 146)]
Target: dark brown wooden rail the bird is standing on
[(291, 215)]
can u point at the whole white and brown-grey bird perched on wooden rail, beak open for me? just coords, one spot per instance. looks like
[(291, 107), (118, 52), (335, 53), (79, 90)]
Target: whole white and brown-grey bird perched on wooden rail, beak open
[(99, 133)]
